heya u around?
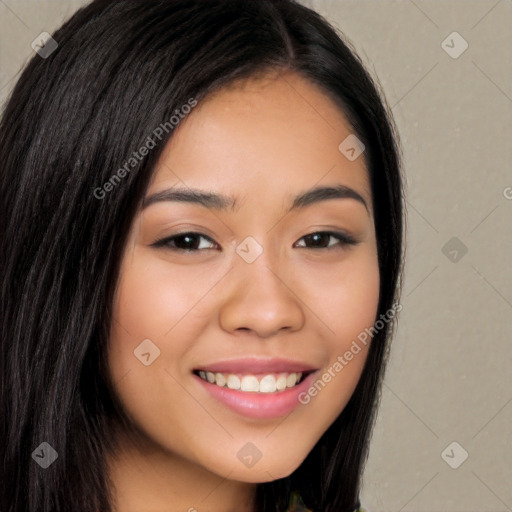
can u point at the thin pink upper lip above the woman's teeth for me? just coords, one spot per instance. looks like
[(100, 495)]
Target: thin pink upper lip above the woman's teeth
[(257, 365)]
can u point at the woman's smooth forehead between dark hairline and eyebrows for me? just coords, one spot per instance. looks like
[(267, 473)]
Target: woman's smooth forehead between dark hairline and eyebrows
[(264, 137)]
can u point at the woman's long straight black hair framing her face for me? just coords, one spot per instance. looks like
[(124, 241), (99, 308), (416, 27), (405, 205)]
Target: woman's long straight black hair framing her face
[(121, 69)]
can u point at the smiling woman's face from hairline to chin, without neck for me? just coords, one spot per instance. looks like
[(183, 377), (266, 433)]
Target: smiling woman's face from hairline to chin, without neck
[(262, 290)]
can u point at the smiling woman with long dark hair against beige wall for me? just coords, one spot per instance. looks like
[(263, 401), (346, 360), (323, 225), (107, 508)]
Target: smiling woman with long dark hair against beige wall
[(202, 237)]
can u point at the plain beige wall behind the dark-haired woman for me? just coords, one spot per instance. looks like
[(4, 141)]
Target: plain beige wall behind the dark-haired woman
[(450, 373)]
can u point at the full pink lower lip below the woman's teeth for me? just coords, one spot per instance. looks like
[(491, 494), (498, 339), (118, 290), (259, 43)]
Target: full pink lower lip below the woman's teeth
[(259, 405)]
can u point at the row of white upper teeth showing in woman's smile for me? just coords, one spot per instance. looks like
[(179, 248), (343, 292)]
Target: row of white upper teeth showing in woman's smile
[(264, 384)]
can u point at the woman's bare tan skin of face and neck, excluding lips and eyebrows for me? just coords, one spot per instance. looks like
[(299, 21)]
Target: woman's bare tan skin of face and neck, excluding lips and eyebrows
[(263, 141)]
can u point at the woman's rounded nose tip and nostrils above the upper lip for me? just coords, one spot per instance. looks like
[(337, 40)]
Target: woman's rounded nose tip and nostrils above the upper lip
[(260, 300)]
